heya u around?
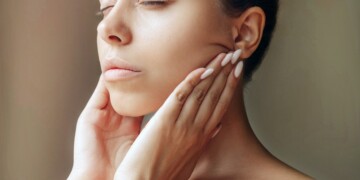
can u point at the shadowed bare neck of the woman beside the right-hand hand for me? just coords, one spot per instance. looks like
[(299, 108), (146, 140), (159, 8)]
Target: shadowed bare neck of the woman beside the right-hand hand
[(235, 146)]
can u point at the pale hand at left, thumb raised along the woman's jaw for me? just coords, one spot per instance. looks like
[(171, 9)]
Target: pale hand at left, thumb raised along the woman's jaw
[(102, 138)]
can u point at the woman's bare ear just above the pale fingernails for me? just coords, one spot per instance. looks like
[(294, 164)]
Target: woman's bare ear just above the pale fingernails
[(248, 30)]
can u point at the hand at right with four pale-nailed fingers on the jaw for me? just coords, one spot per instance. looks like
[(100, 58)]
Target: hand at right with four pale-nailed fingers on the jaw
[(173, 140)]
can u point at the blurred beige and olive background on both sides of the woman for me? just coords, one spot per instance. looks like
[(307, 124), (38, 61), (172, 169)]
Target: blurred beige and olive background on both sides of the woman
[(304, 102)]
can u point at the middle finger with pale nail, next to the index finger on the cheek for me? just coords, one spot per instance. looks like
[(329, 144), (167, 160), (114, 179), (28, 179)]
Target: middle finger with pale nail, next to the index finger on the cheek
[(192, 104)]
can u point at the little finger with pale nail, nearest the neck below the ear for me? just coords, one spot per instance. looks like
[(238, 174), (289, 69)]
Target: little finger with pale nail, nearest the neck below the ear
[(225, 98)]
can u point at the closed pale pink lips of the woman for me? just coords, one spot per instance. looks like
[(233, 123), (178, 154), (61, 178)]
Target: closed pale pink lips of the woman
[(117, 69)]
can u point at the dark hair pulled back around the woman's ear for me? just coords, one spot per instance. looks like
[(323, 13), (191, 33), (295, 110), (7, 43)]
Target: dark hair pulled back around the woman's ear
[(234, 8)]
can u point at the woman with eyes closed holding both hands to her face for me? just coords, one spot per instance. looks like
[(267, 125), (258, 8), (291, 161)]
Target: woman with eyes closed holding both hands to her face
[(183, 59)]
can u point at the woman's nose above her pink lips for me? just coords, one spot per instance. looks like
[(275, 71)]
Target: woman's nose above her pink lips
[(113, 29)]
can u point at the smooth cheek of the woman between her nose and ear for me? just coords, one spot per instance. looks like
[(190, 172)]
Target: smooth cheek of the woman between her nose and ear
[(176, 45)]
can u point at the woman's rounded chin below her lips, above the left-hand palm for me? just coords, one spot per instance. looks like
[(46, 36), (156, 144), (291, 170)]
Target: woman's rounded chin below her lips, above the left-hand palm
[(133, 105)]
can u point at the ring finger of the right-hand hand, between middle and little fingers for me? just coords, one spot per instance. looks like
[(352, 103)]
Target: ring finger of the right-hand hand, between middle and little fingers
[(212, 97)]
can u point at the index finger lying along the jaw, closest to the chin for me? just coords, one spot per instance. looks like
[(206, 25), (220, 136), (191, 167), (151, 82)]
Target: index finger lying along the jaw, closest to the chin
[(174, 103)]
